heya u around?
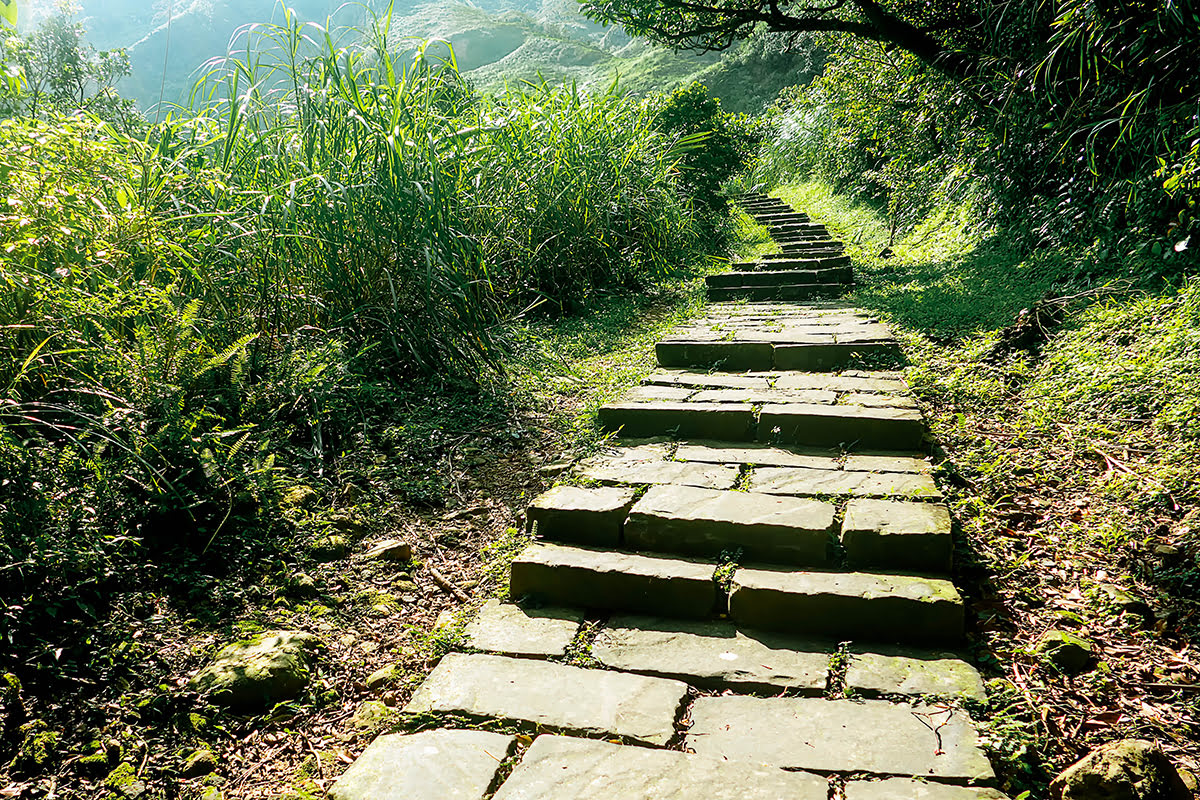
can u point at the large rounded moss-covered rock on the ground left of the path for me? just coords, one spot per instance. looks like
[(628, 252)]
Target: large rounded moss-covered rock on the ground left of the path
[(262, 671)]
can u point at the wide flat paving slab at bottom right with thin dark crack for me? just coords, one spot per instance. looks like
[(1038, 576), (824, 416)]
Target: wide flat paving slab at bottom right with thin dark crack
[(839, 736)]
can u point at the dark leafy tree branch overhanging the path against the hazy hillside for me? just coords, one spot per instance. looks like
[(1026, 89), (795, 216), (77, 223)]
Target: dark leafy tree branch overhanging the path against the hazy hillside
[(923, 29)]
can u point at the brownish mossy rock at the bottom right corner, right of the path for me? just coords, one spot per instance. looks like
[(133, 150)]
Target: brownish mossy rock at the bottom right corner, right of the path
[(1129, 769)]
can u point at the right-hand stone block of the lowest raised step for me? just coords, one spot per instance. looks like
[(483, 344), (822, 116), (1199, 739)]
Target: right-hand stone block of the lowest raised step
[(849, 605)]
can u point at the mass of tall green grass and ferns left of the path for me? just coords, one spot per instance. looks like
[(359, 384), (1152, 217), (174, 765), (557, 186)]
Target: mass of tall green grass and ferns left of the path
[(307, 280)]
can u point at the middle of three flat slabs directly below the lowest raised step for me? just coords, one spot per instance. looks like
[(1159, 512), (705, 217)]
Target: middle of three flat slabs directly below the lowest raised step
[(713, 655)]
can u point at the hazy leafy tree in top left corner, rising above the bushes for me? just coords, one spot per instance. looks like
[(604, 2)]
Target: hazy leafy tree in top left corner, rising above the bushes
[(56, 71)]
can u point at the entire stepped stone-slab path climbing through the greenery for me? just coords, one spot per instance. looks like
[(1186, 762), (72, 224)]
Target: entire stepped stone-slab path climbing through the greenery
[(745, 598)]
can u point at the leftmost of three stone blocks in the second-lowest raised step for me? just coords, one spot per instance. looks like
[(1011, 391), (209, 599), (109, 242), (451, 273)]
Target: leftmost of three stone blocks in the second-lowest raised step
[(584, 516)]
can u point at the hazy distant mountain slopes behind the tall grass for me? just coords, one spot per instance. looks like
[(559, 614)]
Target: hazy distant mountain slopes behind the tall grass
[(495, 43)]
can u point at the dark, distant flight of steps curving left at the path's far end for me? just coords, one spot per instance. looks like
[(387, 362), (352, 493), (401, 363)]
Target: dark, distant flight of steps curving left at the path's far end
[(812, 264)]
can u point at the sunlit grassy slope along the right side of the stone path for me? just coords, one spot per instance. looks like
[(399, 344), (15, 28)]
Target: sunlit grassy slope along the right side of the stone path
[(1072, 473)]
